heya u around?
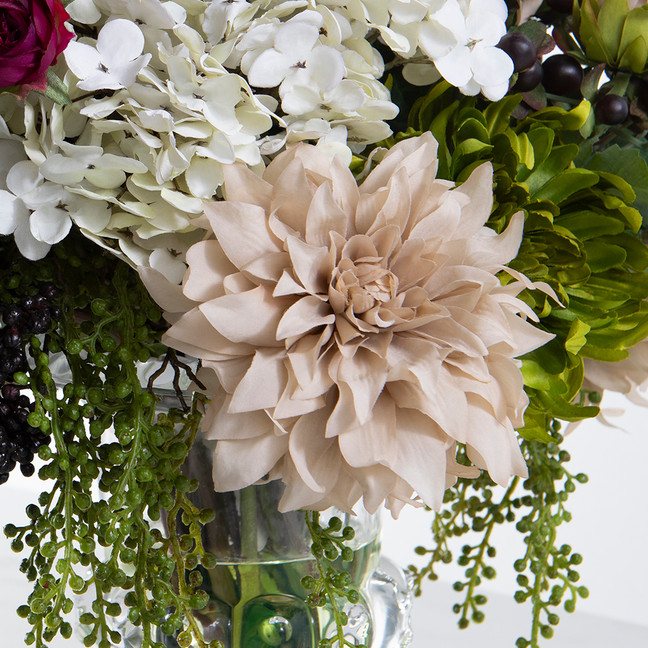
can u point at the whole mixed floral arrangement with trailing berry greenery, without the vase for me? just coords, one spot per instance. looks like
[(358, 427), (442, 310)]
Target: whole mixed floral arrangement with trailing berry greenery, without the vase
[(387, 246)]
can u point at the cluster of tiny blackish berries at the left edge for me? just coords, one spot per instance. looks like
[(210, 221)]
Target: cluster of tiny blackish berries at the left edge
[(19, 441)]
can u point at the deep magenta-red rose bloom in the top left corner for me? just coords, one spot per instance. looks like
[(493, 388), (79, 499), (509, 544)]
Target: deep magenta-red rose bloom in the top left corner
[(32, 35)]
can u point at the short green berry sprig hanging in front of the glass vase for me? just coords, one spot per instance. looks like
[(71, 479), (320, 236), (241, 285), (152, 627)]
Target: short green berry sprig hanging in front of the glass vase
[(333, 586)]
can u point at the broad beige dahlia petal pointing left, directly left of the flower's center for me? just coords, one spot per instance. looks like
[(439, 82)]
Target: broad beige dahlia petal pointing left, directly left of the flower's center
[(251, 317)]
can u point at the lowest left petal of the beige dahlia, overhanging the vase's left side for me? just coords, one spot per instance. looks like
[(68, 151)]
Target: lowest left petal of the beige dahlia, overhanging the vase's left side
[(243, 462)]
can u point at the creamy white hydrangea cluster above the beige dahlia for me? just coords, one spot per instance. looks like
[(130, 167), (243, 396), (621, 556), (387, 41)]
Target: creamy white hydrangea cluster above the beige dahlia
[(165, 94)]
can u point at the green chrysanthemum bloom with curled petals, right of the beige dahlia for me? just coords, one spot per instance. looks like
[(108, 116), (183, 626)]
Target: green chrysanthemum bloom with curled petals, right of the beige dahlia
[(581, 235)]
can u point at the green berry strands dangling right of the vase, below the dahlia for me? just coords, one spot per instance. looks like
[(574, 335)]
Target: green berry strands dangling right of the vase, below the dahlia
[(547, 572)]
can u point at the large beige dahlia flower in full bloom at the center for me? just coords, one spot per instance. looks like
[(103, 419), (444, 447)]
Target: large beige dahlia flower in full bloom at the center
[(358, 333)]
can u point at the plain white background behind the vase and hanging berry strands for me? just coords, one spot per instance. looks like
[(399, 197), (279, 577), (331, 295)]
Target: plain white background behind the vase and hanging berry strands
[(610, 530)]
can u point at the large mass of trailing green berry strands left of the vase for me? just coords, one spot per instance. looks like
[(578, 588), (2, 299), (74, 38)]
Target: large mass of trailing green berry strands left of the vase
[(106, 436)]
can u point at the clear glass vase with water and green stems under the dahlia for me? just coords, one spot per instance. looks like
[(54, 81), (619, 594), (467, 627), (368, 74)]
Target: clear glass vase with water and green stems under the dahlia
[(256, 594)]
